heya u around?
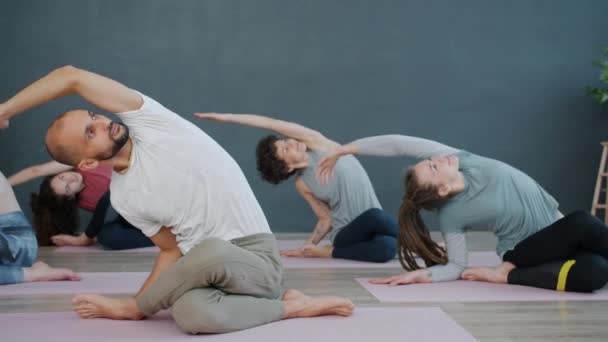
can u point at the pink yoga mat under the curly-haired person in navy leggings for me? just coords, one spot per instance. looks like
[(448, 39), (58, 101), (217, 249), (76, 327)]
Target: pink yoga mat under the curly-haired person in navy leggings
[(475, 259)]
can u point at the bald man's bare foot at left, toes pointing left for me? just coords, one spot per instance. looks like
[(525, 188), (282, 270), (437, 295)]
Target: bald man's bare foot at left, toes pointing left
[(95, 306)]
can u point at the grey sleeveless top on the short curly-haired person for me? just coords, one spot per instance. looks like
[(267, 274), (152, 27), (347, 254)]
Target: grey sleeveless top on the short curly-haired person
[(348, 194)]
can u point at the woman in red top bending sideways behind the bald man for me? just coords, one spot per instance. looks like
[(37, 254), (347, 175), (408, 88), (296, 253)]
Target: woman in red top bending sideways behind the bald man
[(62, 192)]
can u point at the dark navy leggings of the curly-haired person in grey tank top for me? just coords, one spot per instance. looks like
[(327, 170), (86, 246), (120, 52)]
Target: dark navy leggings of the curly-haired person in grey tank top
[(372, 236)]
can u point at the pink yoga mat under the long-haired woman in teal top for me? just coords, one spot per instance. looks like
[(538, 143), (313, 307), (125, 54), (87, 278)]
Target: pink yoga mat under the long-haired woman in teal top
[(471, 291)]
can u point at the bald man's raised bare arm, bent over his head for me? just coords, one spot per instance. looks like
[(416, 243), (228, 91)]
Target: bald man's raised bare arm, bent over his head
[(98, 90)]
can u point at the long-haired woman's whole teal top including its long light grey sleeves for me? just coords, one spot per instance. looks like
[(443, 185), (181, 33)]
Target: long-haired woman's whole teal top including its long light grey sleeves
[(496, 196)]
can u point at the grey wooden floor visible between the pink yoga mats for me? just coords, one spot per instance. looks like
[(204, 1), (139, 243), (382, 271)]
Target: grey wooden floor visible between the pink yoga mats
[(503, 321)]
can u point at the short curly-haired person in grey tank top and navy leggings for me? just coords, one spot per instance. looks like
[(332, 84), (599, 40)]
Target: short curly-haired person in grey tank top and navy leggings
[(347, 208)]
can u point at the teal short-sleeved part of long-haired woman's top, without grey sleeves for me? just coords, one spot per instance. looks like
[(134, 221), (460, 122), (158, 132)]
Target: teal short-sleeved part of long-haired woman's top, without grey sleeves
[(498, 197)]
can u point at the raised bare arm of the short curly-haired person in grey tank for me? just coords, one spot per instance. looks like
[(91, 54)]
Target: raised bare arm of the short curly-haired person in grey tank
[(313, 139)]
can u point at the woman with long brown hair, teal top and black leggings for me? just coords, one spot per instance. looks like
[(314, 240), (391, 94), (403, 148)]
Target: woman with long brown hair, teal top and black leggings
[(539, 246)]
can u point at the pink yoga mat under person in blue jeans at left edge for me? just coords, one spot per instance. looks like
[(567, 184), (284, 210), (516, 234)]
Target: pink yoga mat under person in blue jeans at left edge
[(98, 282)]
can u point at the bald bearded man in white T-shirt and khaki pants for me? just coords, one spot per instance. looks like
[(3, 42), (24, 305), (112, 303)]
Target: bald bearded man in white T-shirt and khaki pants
[(219, 267)]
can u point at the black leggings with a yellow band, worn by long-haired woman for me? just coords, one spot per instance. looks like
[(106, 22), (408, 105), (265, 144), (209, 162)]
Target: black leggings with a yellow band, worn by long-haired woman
[(569, 255)]
